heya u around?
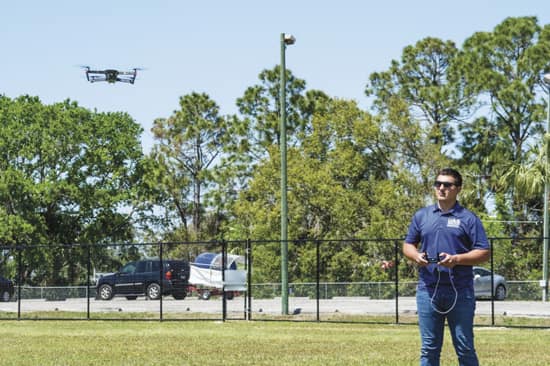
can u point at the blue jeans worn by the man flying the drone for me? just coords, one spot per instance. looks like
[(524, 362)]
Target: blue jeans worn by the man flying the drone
[(432, 324)]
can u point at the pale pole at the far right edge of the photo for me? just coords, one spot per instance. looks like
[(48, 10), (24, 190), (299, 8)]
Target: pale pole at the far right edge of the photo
[(546, 79)]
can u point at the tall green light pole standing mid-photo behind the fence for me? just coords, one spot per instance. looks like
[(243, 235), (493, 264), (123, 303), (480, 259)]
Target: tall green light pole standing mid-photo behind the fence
[(286, 39)]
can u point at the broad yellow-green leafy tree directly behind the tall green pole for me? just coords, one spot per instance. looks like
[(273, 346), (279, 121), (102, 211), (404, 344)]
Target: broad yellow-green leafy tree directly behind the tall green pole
[(337, 177)]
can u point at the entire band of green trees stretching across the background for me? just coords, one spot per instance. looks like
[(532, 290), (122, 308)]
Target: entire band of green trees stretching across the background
[(69, 175)]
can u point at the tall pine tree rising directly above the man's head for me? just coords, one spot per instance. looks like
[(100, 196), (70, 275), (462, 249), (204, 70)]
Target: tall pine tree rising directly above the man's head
[(420, 100)]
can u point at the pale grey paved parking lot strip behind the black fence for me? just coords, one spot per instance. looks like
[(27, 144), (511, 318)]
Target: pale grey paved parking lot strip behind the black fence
[(344, 305)]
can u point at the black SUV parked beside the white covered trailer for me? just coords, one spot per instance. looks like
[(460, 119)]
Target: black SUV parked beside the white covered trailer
[(144, 278)]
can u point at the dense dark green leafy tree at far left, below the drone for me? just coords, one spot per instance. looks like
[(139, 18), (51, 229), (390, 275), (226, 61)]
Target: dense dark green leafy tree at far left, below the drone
[(65, 176)]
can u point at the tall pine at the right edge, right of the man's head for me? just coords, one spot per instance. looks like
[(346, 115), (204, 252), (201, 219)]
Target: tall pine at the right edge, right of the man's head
[(504, 68)]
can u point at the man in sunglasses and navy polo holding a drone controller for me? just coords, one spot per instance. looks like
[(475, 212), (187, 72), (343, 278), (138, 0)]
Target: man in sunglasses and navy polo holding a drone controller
[(452, 240)]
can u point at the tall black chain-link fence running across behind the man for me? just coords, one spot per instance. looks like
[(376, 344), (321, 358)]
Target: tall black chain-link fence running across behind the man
[(336, 280)]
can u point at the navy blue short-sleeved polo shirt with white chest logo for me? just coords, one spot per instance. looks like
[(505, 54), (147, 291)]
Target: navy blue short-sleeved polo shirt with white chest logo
[(456, 231)]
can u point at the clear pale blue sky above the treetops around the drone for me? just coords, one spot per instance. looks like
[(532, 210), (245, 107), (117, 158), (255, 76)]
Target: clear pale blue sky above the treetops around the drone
[(219, 47)]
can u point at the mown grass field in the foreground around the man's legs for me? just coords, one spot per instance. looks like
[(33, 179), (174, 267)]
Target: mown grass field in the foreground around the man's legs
[(71, 342)]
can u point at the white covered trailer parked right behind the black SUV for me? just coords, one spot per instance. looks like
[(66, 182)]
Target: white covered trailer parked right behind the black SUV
[(206, 276)]
